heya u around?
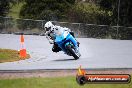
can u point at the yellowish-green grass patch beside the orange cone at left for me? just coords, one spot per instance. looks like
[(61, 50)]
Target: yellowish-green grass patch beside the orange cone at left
[(8, 55)]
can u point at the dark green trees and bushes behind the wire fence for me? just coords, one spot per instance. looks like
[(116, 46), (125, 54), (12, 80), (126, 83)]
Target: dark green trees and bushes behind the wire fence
[(99, 12)]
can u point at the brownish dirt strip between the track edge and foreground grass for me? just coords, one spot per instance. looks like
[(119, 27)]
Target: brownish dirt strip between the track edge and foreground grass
[(55, 73)]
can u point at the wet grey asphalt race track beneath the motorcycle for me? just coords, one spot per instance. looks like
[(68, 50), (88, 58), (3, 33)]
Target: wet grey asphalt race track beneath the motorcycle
[(96, 54)]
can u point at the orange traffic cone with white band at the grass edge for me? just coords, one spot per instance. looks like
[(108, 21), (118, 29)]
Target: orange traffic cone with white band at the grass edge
[(23, 53)]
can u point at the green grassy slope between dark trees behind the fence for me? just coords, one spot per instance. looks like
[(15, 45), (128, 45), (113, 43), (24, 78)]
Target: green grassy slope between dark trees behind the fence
[(15, 10)]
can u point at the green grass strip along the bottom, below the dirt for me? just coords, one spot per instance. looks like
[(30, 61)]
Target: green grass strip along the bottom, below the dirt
[(58, 82)]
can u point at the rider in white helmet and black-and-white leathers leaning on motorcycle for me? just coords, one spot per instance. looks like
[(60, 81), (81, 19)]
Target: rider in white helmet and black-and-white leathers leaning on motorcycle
[(50, 33)]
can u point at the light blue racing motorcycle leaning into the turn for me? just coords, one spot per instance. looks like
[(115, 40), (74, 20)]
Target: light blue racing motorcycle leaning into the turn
[(68, 44)]
